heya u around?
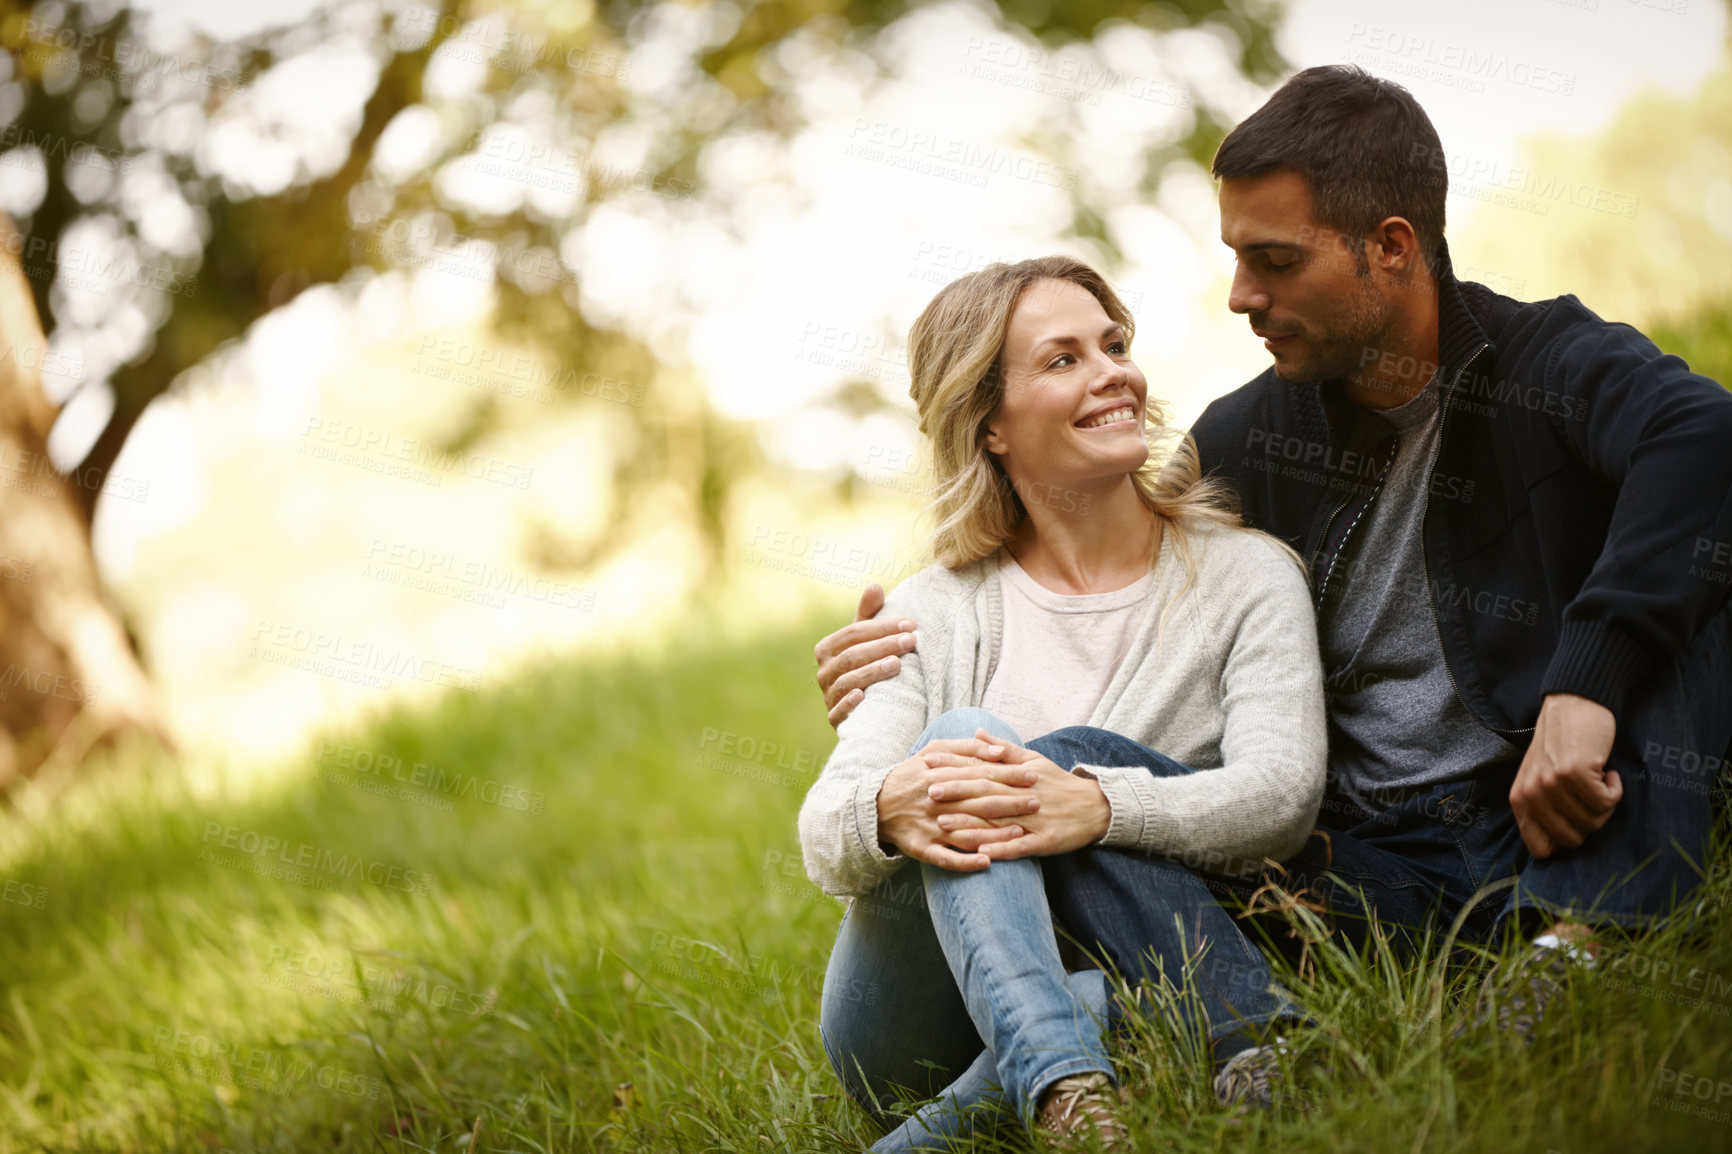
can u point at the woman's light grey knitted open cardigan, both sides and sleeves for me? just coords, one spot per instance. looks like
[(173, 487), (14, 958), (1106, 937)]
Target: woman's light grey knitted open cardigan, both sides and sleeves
[(1232, 685)]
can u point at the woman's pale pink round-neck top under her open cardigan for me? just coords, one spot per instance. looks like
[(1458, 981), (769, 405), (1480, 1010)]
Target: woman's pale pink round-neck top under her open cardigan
[(1061, 651)]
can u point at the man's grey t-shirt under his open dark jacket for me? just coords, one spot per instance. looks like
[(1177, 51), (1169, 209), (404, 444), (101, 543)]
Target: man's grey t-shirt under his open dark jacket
[(1393, 716)]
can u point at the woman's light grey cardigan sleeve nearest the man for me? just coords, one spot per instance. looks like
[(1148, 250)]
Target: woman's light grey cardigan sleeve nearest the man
[(1263, 800)]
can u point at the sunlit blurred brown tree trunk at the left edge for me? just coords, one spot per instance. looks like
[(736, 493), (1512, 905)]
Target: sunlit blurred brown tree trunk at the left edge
[(68, 675)]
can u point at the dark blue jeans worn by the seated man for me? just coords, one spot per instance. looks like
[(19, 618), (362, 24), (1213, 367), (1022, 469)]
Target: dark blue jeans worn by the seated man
[(1428, 859)]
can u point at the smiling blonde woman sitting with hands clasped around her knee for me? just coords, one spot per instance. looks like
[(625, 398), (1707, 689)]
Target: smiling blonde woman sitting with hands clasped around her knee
[(1076, 581)]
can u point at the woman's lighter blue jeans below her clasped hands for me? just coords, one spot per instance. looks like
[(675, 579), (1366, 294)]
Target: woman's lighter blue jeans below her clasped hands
[(957, 973)]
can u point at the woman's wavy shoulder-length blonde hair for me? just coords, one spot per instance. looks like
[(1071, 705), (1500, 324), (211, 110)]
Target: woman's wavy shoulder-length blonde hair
[(953, 356)]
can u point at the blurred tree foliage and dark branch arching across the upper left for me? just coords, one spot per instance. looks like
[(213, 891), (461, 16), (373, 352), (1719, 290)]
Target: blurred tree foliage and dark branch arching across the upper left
[(84, 79)]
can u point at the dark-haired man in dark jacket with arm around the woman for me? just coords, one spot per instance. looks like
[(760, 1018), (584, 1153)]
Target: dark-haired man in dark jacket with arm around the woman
[(1511, 514)]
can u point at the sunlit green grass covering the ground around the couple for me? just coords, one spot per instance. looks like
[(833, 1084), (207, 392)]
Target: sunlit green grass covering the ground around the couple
[(637, 966)]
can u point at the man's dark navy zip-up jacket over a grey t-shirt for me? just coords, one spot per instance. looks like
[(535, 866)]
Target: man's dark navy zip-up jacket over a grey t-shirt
[(1579, 529)]
